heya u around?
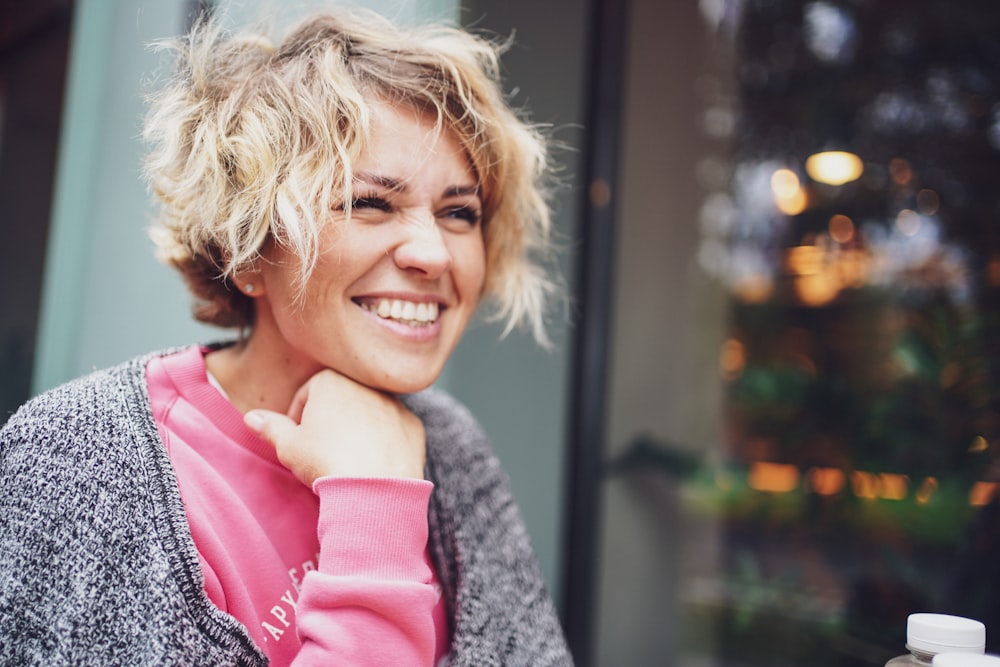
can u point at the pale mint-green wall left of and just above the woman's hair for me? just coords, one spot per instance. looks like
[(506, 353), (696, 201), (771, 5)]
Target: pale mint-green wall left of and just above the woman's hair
[(104, 297)]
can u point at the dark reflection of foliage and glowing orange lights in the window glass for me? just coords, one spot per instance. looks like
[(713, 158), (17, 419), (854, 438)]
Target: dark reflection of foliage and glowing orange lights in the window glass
[(862, 363)]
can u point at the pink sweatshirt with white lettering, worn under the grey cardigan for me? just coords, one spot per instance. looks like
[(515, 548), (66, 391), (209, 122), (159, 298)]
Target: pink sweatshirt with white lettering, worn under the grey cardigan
[(336, 574)]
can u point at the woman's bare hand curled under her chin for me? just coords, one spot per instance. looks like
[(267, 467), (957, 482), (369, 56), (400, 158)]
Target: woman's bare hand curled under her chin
[(337, 427)]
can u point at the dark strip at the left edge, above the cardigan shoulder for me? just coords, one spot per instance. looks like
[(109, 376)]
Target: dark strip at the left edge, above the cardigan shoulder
[(34, 47)]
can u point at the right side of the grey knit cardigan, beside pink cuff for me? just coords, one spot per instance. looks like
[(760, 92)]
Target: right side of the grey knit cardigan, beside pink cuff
[(501, 610)]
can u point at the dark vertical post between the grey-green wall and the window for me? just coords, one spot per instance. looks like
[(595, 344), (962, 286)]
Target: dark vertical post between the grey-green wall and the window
[(593, 298)]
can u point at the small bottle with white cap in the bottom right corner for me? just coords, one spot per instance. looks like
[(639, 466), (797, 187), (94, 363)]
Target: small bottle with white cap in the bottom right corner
[(927, 635)]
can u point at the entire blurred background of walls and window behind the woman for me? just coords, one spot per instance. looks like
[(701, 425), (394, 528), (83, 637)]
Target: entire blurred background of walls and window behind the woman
[(769, 426)]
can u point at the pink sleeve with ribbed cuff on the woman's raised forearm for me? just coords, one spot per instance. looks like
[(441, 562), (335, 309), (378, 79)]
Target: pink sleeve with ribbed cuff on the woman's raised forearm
[(371, 600)]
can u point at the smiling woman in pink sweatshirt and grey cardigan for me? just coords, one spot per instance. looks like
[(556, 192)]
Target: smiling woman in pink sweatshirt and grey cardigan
[(344, 198)]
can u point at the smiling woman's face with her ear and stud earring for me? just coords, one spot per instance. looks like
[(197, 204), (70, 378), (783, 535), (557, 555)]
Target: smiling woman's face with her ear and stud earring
[(397, 281)]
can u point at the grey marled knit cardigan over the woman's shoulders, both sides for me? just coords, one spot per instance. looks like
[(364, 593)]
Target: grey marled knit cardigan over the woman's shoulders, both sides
[(98, 567)]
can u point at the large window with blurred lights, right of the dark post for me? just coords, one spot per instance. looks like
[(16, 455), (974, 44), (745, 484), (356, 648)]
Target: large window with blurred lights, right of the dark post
[(805, 412)]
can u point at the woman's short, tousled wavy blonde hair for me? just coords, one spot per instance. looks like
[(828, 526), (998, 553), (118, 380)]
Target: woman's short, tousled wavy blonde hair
[(254, 140)]
